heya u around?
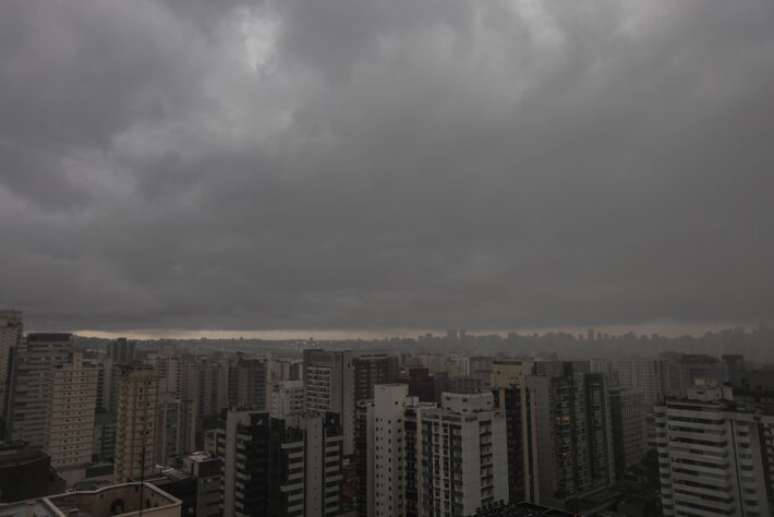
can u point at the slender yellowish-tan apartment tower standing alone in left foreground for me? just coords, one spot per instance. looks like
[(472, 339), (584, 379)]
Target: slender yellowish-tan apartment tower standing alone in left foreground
[(138, 407)]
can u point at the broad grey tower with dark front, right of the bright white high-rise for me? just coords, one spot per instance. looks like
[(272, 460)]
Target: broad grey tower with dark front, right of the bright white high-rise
[(568, 435)]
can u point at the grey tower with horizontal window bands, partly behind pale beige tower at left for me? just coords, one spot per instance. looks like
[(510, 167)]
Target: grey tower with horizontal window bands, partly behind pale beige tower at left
[(30, 391)]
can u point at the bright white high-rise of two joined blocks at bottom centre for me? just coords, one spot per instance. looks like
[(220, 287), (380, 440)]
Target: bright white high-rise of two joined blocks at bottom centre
[(427, 460)]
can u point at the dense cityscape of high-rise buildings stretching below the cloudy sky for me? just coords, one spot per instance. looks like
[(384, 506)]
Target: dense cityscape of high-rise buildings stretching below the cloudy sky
[(552, 424)]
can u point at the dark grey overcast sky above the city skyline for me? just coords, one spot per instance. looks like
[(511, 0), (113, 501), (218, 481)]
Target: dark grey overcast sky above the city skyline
[(374, 164)]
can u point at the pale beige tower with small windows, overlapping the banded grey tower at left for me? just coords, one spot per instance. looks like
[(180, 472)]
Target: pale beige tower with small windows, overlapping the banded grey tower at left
[(71, 417)]
